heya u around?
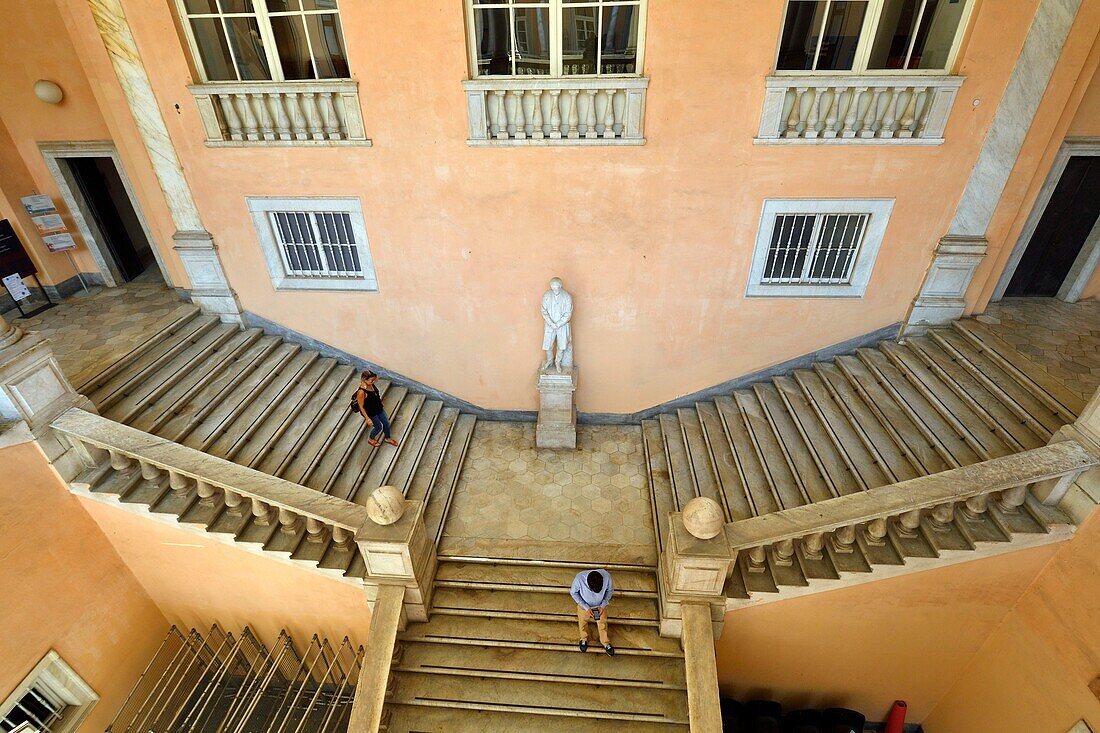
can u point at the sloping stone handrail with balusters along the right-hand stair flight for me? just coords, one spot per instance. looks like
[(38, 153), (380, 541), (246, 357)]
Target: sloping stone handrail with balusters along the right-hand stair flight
[(1007, 482)]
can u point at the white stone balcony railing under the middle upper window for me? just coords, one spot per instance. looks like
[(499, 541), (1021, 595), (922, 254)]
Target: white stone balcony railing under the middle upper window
[(541, 111)]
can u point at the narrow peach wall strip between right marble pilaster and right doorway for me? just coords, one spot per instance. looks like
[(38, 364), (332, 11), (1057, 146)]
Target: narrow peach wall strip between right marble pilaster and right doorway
[(1069, 110)]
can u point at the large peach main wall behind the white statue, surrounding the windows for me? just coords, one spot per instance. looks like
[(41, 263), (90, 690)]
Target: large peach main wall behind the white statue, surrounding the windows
[(655, 243)]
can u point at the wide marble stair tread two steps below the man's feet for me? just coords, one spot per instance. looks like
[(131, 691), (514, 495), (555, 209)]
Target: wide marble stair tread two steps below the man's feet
[(563, 699)]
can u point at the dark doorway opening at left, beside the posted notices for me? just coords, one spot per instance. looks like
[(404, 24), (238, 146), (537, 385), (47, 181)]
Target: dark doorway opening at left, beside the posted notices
[(115, 217)]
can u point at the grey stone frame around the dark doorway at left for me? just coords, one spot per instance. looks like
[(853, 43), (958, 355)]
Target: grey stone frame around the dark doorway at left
[(53, 154)]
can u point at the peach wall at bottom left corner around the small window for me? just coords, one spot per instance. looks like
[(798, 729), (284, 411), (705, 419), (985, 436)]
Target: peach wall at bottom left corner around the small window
[(67, 589)]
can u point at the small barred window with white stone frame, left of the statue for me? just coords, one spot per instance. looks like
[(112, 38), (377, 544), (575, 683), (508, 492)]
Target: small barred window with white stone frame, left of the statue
[(314, 244)]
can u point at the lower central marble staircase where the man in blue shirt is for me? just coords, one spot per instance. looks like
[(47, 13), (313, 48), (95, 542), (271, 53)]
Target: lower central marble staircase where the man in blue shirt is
[(500, 654)]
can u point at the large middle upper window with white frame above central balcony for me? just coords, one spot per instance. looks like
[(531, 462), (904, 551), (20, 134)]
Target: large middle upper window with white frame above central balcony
[(556, 38)]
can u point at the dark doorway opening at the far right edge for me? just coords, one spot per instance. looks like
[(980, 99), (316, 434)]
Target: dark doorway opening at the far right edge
[(1062, 232)]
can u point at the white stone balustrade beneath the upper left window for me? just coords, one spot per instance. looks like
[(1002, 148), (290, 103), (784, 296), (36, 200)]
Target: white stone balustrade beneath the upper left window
[(325, 113)]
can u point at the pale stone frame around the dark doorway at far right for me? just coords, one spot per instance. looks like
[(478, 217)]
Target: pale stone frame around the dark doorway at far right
[(1086, 264)]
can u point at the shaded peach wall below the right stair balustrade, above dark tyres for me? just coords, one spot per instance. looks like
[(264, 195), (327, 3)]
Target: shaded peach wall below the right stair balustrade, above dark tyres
[(863, 648)]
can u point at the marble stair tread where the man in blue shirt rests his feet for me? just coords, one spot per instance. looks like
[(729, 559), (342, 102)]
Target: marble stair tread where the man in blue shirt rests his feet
[(559, 636)]
